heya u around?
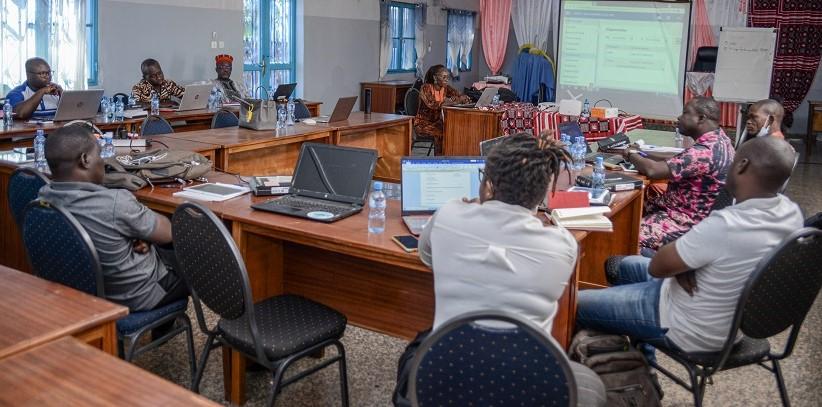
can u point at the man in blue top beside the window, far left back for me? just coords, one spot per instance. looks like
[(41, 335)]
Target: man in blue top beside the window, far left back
[(38, 96)]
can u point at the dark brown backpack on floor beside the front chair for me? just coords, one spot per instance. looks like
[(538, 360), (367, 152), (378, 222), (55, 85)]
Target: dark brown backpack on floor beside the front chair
[(622, 369)]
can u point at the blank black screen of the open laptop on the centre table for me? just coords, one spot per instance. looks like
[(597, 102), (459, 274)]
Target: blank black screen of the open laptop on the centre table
[(341, 174)]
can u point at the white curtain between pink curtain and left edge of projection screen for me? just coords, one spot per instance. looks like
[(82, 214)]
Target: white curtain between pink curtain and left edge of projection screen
[(533, 22)]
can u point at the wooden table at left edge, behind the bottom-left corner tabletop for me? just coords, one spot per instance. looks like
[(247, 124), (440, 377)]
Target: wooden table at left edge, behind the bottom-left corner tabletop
[(36, 311)]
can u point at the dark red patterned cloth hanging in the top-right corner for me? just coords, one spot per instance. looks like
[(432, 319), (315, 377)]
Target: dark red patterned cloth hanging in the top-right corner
[(798, 45)]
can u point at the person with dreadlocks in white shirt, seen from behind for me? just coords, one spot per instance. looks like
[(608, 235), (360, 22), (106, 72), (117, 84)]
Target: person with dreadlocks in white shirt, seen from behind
[(495, 254)]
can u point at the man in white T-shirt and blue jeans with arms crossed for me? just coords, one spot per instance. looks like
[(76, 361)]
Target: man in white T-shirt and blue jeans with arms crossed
[(687, 294)]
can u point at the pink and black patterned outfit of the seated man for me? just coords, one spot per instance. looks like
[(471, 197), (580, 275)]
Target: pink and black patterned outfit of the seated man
[(697, 175)]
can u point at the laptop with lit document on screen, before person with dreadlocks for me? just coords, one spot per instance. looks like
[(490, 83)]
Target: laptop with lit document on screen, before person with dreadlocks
[(430, 182)]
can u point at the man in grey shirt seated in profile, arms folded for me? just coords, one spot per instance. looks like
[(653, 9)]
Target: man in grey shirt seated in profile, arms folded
[(136, 272)]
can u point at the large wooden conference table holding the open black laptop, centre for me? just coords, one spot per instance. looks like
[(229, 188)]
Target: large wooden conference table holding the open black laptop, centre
[(368, 277)]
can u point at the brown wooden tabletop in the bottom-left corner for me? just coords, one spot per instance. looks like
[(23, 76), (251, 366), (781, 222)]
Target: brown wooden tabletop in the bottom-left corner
[(68, 372)]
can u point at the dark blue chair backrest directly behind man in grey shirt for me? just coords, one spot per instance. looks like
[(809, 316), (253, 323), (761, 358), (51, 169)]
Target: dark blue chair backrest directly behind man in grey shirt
[(60, 249)]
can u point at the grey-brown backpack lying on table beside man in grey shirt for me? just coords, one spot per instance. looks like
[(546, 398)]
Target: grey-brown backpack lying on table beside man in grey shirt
[(133, 172)]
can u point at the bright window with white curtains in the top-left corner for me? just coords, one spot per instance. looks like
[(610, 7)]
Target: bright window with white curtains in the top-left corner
[(63, 32)]
